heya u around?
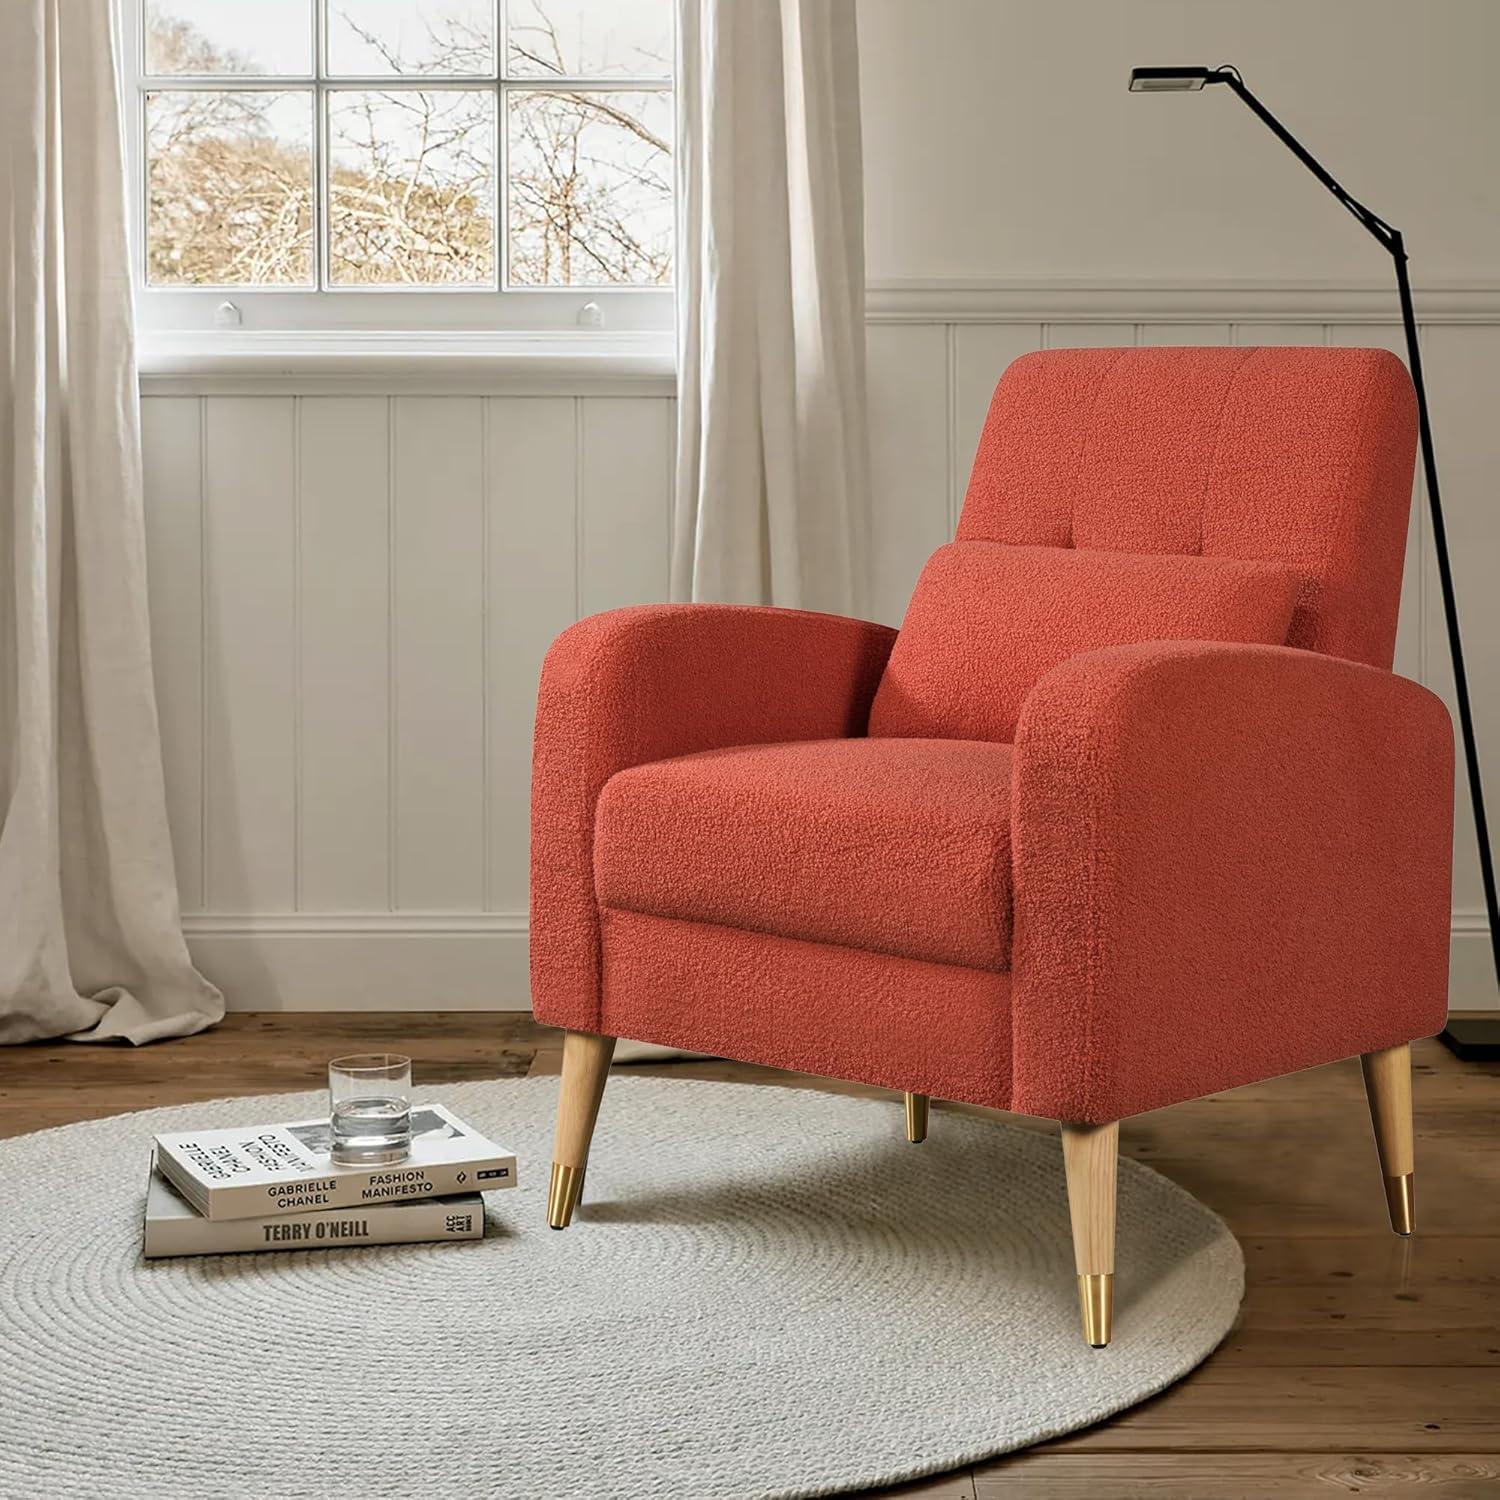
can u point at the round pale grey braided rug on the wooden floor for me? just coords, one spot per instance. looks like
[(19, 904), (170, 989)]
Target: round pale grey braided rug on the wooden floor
[(766, 1294)]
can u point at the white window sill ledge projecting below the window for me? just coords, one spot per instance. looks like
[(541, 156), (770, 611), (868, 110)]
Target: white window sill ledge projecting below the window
[(434, 364)]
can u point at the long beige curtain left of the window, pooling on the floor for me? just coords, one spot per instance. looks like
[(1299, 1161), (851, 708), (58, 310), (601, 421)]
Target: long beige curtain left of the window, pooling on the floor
[(91, 938)]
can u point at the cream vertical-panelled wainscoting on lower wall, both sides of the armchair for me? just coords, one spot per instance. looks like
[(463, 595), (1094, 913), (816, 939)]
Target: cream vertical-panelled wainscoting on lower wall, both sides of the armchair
[(353, 590)]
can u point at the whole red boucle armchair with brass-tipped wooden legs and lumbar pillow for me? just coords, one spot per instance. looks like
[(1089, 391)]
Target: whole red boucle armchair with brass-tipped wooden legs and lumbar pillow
[(1132, 809)]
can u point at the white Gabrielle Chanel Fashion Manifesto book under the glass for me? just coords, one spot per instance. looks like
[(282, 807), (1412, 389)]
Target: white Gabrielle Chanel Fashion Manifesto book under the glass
[(263, 1171)]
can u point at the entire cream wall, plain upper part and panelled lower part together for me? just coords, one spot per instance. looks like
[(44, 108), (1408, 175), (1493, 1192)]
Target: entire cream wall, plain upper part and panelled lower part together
[(353, 581)]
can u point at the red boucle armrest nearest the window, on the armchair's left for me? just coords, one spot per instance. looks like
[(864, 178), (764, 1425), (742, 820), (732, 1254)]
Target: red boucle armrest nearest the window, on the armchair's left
[(643, 685)]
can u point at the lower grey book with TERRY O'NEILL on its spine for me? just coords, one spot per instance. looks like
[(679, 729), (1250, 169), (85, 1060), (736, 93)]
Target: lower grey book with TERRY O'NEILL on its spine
[(173, 1228)]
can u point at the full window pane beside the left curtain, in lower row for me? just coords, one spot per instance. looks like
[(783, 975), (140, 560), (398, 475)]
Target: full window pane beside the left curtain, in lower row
[(229, 188)]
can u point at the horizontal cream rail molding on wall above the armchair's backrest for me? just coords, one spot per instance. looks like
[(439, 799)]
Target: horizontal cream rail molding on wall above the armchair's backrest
[(1196, 301)]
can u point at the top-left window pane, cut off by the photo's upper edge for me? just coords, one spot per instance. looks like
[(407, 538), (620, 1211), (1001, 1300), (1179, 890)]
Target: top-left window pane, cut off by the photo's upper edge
[(229, 37)]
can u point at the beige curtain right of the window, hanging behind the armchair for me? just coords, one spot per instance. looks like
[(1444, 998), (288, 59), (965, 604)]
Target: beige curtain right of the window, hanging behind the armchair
[(772, 464)]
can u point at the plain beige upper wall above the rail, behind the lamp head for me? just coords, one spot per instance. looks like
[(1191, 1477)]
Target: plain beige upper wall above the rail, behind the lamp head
[(1001, 140)]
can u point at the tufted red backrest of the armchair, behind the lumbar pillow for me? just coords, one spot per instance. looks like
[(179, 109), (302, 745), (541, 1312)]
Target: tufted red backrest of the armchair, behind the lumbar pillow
[(1297, 455)]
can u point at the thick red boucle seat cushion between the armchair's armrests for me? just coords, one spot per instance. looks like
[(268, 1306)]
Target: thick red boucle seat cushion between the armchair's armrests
[(901, 847)]
